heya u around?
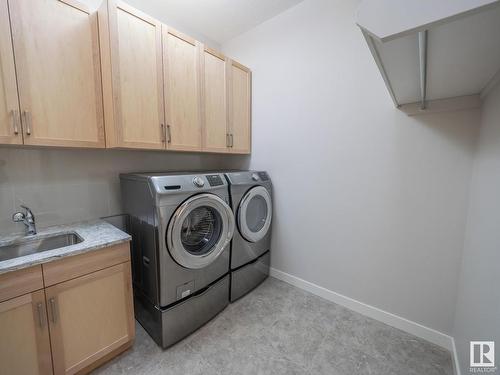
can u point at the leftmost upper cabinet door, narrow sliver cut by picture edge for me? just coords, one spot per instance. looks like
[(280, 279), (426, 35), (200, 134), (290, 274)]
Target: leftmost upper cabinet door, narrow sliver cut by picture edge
[(10, 121)]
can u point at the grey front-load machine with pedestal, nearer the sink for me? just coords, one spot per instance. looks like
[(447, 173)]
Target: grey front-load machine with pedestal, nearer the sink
[(181, 226)]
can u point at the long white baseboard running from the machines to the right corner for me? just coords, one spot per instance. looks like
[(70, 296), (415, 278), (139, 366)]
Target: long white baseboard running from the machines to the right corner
[(403, 324)]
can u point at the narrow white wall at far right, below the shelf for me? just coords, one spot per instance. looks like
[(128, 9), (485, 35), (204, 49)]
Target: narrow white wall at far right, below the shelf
[(478, 308)]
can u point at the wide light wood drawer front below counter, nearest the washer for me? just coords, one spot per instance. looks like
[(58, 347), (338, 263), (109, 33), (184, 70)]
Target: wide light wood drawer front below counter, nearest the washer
[(79, 265)]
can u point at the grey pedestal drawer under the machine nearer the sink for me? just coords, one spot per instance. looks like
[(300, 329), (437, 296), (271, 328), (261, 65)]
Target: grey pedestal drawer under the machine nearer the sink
[(170, 325)]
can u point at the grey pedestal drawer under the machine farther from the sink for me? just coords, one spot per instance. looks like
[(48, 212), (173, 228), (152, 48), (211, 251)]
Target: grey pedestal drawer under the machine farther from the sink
[(246, 278)]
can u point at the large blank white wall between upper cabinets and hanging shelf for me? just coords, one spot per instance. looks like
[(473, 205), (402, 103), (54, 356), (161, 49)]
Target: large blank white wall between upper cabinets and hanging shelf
[(369, 203)]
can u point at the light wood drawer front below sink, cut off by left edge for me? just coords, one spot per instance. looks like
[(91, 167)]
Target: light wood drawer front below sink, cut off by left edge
[(17, 283)]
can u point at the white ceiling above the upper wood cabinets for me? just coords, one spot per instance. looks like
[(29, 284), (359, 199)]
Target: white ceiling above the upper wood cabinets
[(217, 20)]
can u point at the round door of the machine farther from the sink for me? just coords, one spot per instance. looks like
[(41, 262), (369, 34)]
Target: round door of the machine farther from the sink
[(255, 213)]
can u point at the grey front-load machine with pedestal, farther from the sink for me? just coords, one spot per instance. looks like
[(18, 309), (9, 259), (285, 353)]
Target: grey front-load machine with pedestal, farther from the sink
[(251, 201)]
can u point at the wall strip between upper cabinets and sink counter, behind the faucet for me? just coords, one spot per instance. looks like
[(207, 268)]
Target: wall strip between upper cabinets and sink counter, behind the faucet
[(63, 186)]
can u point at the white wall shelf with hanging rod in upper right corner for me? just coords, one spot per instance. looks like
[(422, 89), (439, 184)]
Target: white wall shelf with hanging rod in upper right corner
[(434, 56)]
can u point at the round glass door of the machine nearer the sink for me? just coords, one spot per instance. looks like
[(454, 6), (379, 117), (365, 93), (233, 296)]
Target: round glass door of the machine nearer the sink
[(200, 230)]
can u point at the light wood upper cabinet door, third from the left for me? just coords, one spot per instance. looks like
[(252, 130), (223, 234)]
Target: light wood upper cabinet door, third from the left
[(132, 77)]
